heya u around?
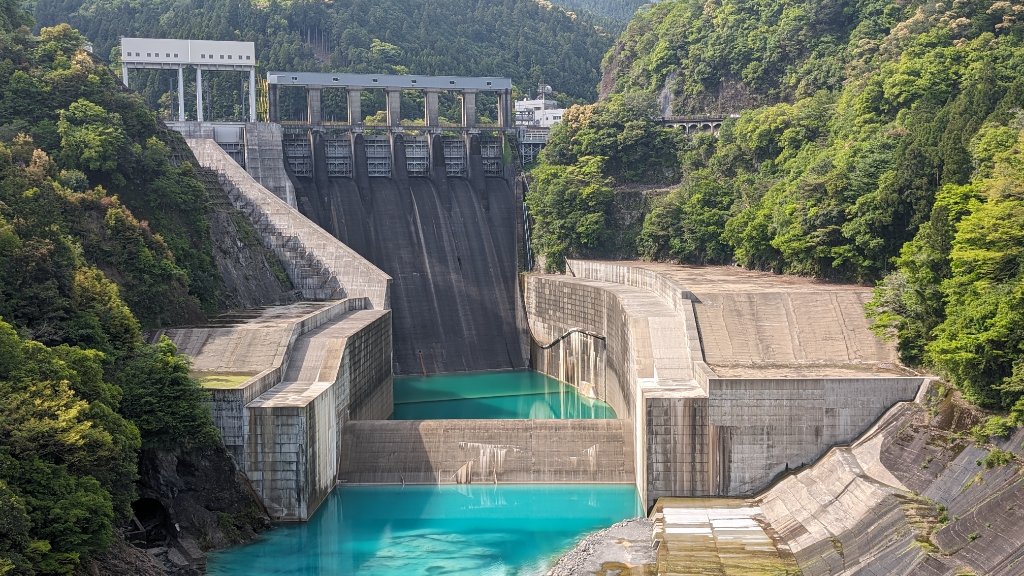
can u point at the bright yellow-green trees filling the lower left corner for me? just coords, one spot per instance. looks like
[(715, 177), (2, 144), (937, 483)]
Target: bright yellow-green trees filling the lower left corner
[(67, 464)]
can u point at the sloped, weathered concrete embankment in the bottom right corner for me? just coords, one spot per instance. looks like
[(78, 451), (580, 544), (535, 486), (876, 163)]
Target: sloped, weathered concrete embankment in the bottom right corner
[(913, 497)]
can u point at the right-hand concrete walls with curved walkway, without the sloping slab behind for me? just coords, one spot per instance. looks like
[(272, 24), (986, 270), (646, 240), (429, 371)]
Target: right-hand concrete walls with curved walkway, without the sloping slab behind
[(712, 436)]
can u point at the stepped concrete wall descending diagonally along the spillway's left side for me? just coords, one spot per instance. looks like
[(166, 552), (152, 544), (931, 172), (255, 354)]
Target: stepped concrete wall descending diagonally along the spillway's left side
[(320, 266)]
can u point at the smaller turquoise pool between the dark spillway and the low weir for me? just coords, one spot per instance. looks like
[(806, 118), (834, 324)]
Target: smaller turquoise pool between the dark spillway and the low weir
[(492, 395)]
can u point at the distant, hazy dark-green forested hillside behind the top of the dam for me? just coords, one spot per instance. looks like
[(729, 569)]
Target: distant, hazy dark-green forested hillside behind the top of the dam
[(521, 39)]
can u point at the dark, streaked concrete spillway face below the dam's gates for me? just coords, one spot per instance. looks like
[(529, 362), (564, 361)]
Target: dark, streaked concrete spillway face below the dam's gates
[(451, 246)]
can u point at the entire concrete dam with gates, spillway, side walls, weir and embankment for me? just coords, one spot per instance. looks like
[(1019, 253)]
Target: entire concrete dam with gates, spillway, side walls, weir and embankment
[(764, 401)]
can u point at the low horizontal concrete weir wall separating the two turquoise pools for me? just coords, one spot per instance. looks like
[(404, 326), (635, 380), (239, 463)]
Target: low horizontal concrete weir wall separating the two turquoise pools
[(504, 451)]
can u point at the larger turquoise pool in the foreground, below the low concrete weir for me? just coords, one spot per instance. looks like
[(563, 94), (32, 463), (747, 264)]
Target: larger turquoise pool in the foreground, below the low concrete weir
[(472, 530)]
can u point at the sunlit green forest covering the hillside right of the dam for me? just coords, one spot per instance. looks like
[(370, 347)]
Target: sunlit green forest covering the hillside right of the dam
[(879, 143)]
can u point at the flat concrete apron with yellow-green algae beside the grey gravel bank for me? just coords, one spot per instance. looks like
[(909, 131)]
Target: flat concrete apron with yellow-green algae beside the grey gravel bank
[(717, 537)]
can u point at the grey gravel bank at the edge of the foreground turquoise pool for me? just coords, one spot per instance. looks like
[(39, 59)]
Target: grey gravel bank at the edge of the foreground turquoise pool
[(622, 550)]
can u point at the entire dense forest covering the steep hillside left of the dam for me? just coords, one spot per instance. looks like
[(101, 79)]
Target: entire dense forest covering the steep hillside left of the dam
[(81, 162)]
